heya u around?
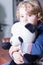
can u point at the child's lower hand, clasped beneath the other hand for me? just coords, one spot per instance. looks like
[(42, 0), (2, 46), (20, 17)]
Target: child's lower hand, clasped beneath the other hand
[(18, 58)]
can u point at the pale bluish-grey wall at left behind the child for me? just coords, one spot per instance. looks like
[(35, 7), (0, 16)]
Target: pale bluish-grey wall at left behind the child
[(6, 17)]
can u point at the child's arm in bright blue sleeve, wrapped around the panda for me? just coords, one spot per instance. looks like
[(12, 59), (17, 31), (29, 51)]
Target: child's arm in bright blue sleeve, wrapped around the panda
[(37, 47)]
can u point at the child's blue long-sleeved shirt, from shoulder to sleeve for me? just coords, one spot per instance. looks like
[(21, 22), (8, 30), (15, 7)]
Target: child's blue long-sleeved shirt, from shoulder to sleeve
[(37, 47)]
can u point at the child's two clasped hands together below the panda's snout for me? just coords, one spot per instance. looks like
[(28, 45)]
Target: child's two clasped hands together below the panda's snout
[(17, 56)]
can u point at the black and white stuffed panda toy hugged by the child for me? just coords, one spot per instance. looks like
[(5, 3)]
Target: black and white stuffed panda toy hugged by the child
[(22, 35)]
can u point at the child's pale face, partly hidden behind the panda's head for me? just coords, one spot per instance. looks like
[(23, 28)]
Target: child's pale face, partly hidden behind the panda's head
[(27, 17)]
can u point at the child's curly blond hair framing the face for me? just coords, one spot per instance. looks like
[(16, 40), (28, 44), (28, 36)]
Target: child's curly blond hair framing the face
[(31, 6)]
